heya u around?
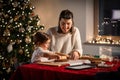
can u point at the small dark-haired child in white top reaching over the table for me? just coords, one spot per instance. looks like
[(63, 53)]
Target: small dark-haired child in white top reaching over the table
[(42, 42)]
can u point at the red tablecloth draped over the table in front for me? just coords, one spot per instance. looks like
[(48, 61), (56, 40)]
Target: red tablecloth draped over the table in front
[(45, 72)]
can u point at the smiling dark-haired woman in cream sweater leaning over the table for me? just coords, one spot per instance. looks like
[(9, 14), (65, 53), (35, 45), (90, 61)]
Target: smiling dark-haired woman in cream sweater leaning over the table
[(66, 37)]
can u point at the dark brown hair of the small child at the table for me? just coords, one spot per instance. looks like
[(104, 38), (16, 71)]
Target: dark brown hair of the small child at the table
[(41, 37)]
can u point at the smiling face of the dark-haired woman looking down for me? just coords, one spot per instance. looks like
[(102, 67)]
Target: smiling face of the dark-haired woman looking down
[(65, 25)]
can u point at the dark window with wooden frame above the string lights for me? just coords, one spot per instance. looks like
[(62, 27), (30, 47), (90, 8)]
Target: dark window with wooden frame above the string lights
[(107, 19)]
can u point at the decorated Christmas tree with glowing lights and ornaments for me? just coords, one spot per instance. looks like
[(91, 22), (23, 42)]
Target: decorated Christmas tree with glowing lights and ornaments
[(18, 23)]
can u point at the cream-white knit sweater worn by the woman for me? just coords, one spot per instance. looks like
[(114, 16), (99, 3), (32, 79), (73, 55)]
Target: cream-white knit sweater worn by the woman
[(65, 43)]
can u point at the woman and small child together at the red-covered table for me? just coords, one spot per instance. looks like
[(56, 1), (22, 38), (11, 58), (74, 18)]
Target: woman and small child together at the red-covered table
[(63, 39)]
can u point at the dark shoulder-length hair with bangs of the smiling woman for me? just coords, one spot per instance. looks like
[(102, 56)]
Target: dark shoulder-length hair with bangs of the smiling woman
[(65, 14)]
